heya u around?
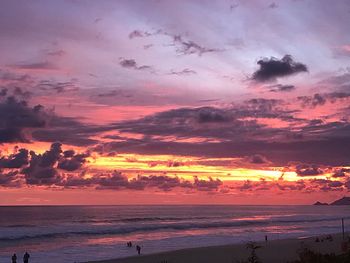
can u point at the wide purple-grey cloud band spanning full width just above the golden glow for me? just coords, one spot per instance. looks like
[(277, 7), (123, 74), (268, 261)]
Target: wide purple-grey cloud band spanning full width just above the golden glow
[(222, 132)]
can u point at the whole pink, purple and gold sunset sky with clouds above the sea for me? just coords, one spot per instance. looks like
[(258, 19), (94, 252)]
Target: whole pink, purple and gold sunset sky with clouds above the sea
[(174, 102)]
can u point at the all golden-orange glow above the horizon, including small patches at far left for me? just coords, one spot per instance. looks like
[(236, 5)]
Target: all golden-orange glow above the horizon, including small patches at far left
[(186, 167)]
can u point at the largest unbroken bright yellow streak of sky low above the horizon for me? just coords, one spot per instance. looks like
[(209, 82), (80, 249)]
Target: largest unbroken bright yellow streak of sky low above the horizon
[(187, 167)]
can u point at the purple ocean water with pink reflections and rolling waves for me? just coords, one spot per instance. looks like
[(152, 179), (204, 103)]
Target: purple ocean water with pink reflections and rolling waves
[(80, 233)]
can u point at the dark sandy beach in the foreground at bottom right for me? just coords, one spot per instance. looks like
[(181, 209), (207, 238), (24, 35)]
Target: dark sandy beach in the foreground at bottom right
[(276, 251)]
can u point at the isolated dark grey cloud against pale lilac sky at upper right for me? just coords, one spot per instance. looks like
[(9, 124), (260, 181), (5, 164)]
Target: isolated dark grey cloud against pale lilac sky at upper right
[(272, 68)]
